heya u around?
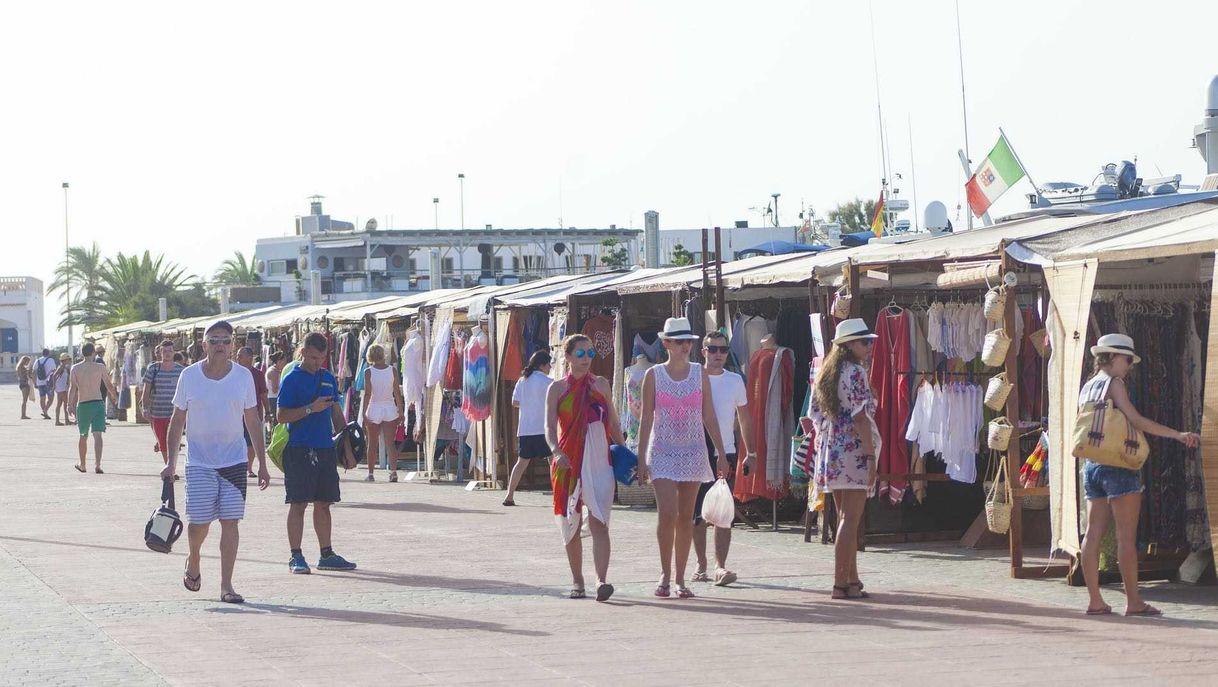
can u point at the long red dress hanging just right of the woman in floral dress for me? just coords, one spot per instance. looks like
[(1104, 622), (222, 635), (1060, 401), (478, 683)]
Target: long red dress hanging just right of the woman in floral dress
[(890, 383)]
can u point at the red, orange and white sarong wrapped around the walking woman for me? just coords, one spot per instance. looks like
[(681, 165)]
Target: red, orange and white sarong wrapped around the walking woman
[(584, 439)]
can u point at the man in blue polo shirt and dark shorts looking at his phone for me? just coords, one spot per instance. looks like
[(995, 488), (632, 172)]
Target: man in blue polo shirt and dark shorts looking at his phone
[(309, 404)]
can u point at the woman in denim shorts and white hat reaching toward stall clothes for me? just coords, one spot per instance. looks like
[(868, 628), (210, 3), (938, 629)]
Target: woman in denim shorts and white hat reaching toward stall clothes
[(1115, 494)]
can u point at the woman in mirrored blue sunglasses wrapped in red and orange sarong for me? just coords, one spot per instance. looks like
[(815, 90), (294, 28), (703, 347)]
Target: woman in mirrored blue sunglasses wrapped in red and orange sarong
[(580, 420)]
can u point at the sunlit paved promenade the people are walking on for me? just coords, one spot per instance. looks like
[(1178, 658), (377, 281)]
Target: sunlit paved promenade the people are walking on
[(454, 589)]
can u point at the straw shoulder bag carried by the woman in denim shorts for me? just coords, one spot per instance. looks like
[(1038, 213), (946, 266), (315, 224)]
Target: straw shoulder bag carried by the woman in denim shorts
[(1104, 435)]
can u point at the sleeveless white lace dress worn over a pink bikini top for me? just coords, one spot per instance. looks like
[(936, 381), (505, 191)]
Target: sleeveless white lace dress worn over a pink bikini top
[(678, 448)]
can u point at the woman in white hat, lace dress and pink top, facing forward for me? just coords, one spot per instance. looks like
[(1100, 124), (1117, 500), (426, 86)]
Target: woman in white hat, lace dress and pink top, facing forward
[(678, 414)]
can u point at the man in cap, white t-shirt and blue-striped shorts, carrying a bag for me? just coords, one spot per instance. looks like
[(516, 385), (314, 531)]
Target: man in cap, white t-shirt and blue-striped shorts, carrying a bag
[(219, 396)]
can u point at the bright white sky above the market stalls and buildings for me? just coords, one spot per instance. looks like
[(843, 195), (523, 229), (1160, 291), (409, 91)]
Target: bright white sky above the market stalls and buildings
[(194, 130)]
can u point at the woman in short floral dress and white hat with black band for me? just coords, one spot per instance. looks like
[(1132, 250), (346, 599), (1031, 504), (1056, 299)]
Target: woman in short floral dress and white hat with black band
[(843, 411)]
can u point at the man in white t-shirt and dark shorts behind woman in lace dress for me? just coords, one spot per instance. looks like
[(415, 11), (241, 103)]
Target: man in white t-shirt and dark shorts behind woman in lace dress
[(731, 405)]
